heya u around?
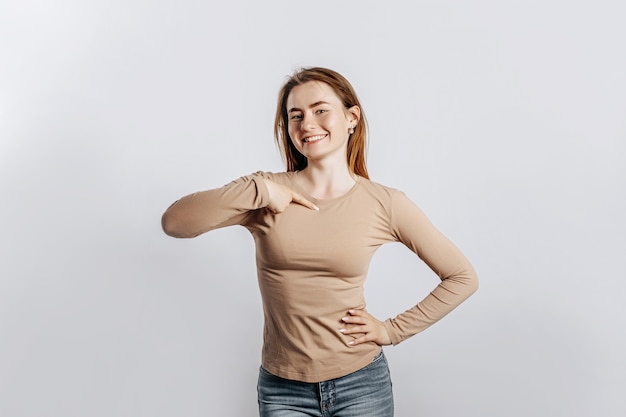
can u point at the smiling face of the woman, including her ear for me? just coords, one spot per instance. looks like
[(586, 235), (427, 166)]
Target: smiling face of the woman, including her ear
[(318, 122)]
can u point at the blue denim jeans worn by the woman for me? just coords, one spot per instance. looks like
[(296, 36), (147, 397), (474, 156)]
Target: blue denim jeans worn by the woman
[(364, 393)]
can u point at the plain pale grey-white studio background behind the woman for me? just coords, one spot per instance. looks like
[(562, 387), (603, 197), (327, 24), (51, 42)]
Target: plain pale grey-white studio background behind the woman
[(504, 120)]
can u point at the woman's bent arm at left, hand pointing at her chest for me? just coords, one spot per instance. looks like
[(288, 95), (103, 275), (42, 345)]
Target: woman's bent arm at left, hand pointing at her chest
[(231, 204)]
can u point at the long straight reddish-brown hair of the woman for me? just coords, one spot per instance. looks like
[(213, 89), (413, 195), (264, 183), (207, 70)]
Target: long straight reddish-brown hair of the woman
[(357, 144)]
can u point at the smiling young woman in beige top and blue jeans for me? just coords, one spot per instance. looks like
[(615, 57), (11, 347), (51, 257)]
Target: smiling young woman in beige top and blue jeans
[(316, 227)]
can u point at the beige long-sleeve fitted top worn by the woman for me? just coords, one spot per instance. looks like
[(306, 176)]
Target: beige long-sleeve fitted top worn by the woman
[(312, 266)]
